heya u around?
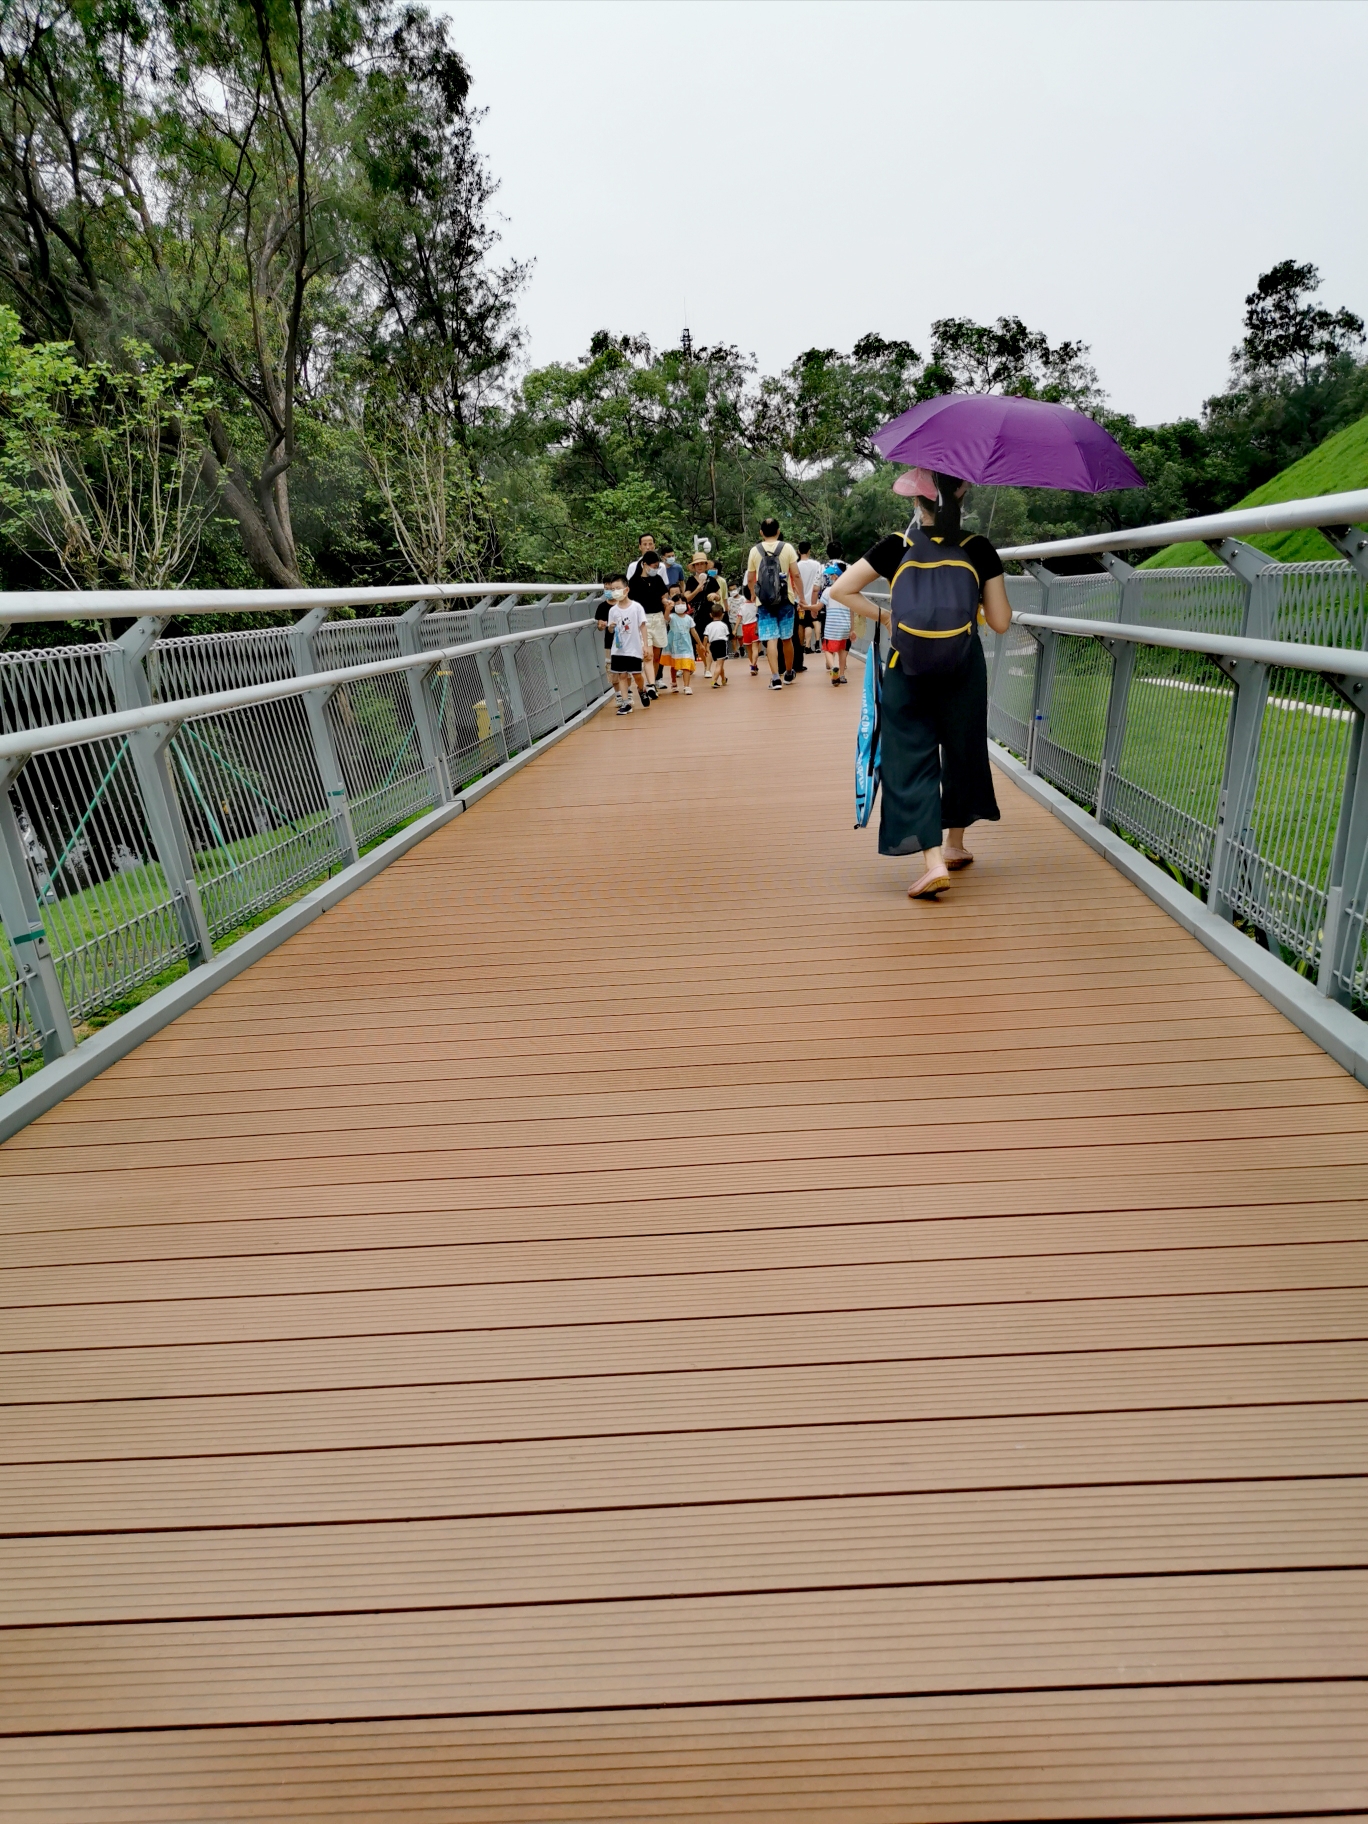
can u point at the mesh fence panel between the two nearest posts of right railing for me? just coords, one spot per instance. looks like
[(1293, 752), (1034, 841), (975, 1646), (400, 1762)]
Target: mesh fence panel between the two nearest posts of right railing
[(1281, 862)]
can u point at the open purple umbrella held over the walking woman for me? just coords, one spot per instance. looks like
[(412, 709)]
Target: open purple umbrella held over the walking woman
[(1017, 442)]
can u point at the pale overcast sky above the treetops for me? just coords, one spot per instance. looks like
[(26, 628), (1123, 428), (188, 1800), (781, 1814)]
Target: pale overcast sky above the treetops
[(800, 172)]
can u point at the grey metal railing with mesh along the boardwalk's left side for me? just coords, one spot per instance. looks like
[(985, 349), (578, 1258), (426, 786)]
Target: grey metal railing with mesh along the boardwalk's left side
[(165, 794)]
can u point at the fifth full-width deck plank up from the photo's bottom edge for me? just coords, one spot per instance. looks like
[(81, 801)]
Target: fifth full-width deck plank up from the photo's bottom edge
[(679, 1402)]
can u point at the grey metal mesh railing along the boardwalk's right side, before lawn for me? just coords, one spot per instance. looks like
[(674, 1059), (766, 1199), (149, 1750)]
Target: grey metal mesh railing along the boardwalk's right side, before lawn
[(1214, 716)]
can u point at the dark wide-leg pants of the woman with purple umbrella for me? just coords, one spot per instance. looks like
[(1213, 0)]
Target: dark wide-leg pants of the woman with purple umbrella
[(935, 756)]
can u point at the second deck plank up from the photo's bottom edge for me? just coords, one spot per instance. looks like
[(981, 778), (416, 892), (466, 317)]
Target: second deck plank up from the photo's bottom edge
[(798, 1646)]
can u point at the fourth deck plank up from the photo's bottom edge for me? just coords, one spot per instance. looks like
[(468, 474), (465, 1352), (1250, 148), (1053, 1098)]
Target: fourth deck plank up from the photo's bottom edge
[(672, 1469)]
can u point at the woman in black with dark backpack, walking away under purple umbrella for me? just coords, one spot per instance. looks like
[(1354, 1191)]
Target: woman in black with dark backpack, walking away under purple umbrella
[(935, 727)]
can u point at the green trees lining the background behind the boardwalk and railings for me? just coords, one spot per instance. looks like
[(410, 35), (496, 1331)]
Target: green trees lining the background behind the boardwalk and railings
[(254, 327)]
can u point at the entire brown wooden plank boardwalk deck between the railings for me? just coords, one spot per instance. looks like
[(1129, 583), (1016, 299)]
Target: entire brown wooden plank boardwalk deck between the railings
[(628, 1318)]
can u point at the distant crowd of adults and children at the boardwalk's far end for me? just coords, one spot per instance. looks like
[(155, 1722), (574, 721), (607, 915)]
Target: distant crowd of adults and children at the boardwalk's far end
[(665, 623)]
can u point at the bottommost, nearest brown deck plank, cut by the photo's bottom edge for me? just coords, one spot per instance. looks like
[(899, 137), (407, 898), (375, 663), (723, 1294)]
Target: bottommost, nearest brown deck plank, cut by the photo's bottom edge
[(1139, 1756)]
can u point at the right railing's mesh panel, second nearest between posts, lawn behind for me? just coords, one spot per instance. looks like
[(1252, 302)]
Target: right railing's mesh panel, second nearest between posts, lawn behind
[(1168, 782)]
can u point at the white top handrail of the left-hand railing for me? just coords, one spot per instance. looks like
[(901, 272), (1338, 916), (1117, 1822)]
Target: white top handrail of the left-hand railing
[(103, 605)]
